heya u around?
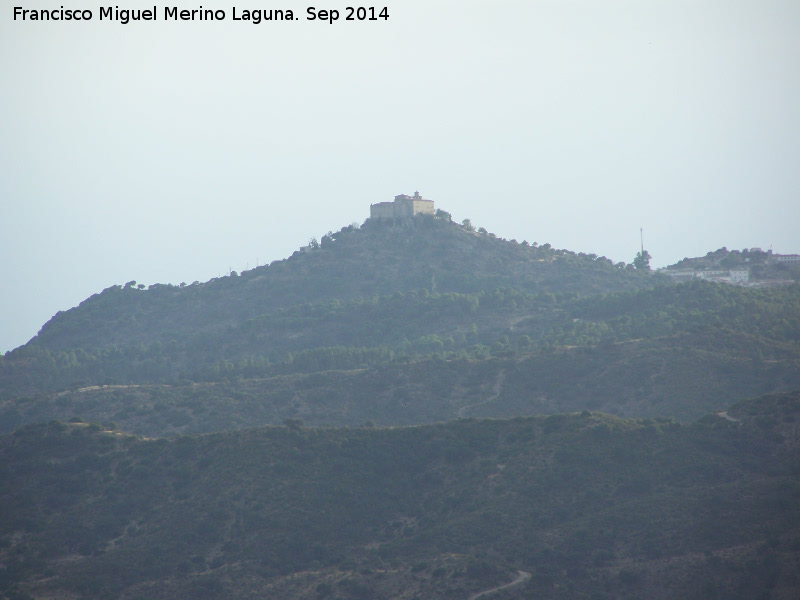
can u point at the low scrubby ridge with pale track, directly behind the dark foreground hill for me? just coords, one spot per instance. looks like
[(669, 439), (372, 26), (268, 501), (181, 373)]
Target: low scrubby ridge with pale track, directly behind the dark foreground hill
[(681, 377)]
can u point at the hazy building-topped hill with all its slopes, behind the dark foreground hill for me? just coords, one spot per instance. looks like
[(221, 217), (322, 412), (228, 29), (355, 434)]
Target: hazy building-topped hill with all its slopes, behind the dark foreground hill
[(565, 332)]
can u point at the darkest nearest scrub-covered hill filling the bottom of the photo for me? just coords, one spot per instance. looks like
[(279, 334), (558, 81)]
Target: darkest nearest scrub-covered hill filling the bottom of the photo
[(592, 506)]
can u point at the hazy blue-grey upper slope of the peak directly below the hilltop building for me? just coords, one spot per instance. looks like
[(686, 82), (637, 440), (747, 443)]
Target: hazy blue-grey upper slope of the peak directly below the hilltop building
[(377, 259)]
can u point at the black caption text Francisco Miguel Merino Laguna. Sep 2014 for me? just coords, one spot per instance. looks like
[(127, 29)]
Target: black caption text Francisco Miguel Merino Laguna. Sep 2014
[(174, 13)]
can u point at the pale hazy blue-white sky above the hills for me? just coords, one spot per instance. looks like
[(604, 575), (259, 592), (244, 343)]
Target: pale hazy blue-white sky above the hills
[(172, 151)]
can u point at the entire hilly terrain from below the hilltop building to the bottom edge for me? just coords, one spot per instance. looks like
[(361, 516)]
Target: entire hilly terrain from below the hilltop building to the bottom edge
[(413, 368)]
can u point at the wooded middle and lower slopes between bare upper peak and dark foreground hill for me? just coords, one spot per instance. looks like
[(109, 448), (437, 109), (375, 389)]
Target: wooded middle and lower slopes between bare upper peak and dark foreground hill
[(675, 350)]
